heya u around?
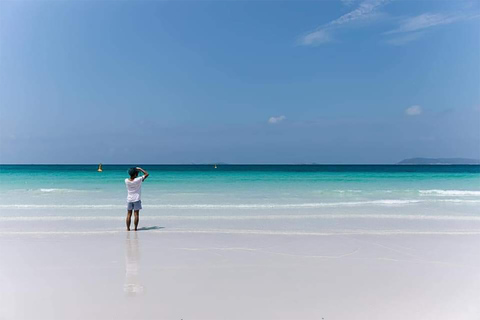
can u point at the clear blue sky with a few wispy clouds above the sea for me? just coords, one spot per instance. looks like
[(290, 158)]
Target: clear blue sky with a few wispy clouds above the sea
[(157, 82)]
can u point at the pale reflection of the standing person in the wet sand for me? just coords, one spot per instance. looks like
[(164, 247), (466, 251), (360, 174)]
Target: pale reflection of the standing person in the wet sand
[(132, 286)]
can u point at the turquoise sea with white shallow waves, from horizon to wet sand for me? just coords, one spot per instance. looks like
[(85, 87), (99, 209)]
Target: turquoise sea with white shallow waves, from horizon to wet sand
[(232, 197)]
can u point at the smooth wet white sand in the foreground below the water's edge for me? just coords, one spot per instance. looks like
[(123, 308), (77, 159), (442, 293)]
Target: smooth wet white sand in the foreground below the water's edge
[(157, 274)]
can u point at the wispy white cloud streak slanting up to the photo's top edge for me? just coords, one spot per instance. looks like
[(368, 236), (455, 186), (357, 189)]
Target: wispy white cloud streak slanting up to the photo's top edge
[(365, 10)]
